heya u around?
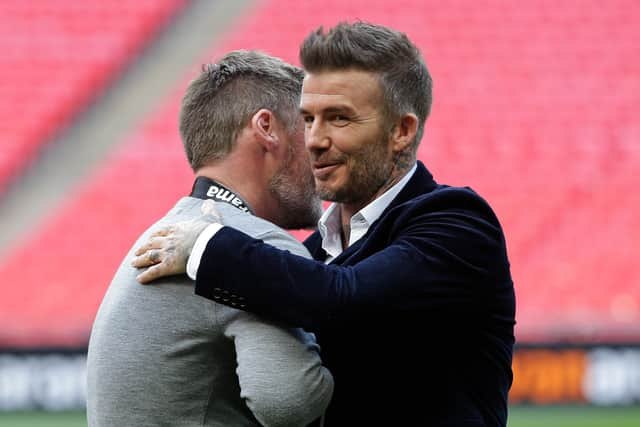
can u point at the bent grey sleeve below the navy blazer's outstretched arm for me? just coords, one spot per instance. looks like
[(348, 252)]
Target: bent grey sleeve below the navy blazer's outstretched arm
[(281, 376)]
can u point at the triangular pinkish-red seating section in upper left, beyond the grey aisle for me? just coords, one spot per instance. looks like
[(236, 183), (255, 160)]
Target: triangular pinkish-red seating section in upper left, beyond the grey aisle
[(59, 56)]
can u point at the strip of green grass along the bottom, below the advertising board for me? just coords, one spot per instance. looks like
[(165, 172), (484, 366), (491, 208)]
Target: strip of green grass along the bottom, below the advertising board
[(520, 416)]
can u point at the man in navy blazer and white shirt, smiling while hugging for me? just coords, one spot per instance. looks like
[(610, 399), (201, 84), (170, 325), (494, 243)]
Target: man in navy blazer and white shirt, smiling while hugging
[(410, 293)]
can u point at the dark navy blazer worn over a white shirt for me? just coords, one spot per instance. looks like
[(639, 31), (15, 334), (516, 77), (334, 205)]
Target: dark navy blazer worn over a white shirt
[(415, 320)]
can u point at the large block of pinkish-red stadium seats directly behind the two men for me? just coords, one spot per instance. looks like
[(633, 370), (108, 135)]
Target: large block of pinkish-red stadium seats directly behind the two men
[(535, 107)]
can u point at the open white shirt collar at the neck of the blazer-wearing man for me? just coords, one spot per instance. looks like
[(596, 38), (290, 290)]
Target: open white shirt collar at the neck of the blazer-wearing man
[(329, 223)]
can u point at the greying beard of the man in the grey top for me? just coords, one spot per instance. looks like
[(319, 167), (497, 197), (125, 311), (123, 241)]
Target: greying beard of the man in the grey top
[(293, 186)]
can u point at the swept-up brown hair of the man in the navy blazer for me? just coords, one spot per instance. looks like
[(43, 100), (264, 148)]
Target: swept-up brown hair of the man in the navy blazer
[(404, 78)]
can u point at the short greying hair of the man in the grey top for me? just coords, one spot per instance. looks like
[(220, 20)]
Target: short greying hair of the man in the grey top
[(219, 103)]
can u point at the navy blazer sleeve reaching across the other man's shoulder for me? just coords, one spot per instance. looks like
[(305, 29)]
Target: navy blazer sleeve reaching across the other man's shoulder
[(432, 261)]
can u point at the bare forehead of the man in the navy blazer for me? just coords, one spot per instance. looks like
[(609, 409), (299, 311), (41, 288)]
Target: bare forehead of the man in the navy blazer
[(353, 88)]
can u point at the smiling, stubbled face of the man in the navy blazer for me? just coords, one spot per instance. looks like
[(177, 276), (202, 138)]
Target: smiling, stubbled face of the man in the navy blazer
[(346, 137)]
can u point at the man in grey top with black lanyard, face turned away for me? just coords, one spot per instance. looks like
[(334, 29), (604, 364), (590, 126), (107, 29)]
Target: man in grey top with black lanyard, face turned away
[(162, 355)]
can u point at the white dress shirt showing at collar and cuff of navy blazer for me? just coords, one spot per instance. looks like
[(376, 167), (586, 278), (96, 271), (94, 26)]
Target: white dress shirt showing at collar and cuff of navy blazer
[(329, 226)]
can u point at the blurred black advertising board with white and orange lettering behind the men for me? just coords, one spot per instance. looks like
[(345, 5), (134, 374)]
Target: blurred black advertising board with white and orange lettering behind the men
[(606, 375)]
